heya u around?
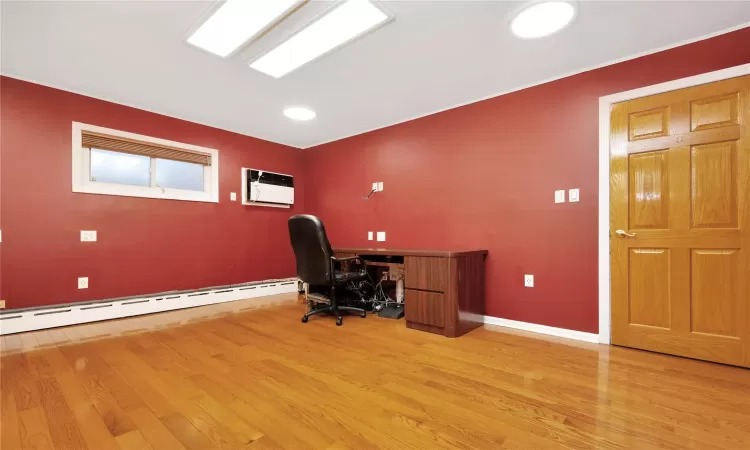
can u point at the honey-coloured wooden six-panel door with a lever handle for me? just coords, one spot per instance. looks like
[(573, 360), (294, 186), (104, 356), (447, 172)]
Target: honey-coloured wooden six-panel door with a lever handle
[(680, 222)]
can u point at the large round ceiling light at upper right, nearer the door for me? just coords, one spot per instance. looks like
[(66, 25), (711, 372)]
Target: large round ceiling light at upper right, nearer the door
[(538, 19)]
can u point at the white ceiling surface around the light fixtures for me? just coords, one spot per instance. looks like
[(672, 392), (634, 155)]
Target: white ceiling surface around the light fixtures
[(433, 56)]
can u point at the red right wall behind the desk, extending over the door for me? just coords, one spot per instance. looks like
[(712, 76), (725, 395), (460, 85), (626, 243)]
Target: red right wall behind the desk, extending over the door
[(483, 176)]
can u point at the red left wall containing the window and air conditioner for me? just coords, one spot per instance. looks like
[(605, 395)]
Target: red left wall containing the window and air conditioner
[(144, 245)]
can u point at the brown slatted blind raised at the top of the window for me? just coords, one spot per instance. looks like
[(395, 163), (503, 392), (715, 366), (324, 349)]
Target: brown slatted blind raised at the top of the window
[(101, 141)]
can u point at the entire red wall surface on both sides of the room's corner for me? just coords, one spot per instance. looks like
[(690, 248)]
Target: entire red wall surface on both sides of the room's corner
[(478, 176)]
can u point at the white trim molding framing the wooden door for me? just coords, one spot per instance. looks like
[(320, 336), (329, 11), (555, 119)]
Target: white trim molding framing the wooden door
[(605, 104)]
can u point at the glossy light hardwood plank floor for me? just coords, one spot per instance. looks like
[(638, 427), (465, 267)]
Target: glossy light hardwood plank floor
[(261, 379)]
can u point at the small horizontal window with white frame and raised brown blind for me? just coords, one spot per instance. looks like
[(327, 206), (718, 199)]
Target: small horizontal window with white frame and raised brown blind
[(113, 162)]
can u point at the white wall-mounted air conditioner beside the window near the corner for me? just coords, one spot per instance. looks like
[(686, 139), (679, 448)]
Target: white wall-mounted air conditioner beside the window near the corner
[(260, 187)]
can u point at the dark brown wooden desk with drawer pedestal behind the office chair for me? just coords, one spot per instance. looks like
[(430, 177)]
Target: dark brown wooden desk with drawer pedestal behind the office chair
[(443, 289)]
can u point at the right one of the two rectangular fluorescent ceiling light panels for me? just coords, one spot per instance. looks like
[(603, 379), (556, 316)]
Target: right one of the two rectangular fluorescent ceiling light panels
[(341, 25)]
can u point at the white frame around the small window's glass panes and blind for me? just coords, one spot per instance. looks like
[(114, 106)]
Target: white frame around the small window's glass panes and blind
[(82, 170)]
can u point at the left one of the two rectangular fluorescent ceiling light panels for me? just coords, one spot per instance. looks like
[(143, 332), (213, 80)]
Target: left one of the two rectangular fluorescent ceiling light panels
[(236, 21)]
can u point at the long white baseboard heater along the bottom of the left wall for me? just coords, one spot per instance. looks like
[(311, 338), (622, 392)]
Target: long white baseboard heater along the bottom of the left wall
[(74, 314)]
